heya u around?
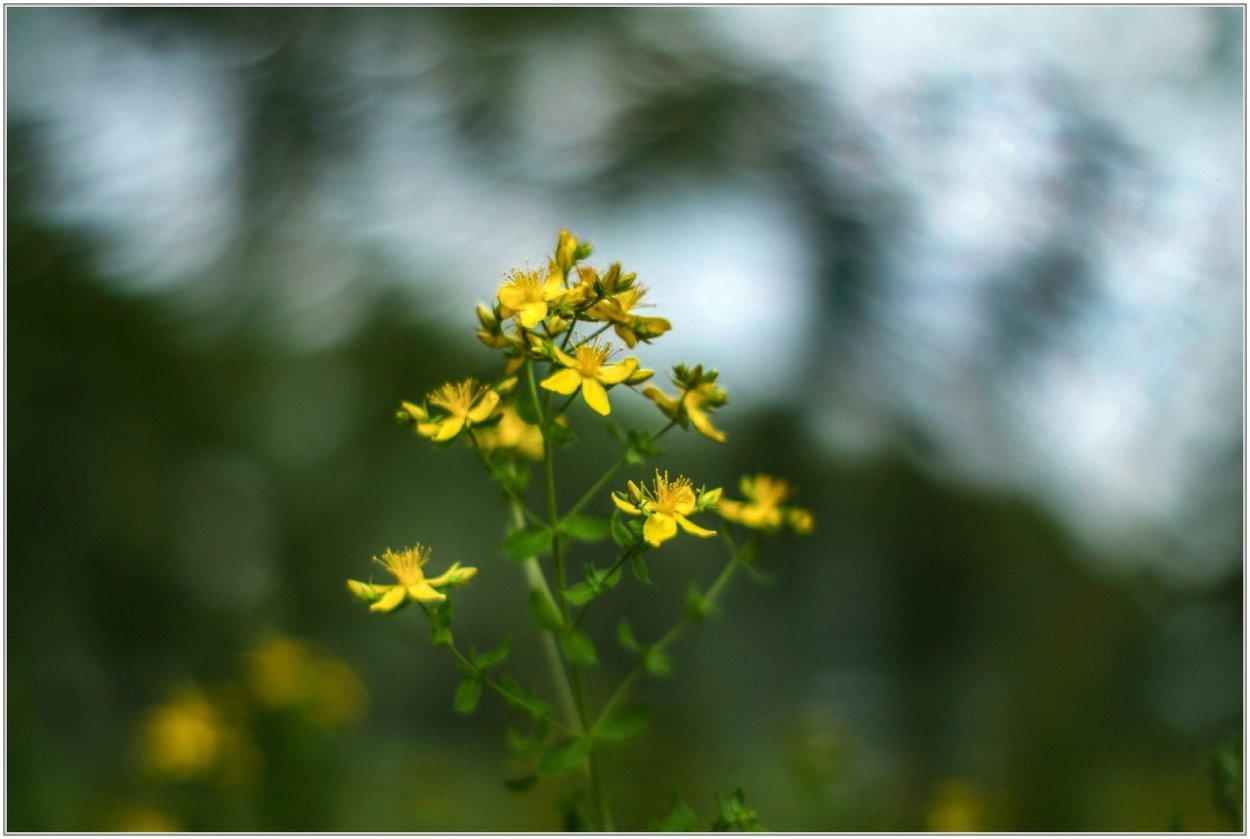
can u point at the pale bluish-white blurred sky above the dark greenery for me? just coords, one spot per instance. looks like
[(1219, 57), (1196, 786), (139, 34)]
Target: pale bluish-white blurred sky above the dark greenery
[(1069, 179)]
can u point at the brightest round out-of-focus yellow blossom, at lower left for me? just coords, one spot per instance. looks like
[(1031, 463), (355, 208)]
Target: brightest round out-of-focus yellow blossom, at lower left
[(183, 738)]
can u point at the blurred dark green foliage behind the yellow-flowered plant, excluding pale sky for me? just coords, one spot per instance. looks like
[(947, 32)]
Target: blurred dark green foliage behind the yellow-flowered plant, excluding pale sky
[(186, 486)]
